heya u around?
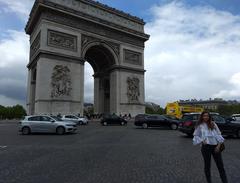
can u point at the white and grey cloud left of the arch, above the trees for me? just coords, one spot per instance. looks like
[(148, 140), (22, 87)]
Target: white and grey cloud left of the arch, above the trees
[(14, 53)]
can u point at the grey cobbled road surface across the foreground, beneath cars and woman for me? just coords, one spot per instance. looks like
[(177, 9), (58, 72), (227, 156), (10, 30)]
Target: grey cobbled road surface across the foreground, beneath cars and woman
[(111, 154)]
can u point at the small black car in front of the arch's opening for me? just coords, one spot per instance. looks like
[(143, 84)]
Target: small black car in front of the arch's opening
[(113, 120)]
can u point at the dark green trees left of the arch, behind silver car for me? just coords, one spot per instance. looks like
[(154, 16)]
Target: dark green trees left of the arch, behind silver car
[(14, 112)]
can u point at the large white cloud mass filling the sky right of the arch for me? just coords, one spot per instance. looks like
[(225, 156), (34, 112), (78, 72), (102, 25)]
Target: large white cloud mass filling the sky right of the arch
[(193, 52)]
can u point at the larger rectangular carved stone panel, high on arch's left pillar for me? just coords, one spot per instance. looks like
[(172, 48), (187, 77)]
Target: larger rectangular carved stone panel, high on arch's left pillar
[(62, 40)]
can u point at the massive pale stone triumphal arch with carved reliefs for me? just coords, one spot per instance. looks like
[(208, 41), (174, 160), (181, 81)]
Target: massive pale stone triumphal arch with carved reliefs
[(64, 34)]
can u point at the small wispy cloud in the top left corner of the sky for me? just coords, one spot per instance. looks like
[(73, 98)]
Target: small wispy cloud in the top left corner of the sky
[(18, 7)]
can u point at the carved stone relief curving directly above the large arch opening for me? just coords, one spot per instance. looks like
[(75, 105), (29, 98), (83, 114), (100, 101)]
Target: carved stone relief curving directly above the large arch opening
[(88, 39)]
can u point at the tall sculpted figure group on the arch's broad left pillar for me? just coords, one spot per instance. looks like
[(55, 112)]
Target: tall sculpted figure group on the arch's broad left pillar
[(61, 81)]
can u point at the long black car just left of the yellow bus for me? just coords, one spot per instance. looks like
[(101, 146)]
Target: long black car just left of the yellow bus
[(146, 121)]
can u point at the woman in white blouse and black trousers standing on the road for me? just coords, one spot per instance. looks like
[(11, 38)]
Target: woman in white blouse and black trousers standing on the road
[(209, 136)]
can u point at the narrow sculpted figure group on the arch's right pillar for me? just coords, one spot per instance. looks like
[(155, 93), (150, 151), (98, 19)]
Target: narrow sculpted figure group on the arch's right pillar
[(133, 90)]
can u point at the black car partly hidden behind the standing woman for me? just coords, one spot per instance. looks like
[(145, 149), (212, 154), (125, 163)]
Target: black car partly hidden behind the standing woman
[(226, 125)]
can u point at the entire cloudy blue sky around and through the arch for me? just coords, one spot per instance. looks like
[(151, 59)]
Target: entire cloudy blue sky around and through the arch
[(193, 52)]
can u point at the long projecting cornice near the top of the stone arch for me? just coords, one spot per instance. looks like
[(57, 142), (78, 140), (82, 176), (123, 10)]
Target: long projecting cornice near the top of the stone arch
[(47, 4)]
